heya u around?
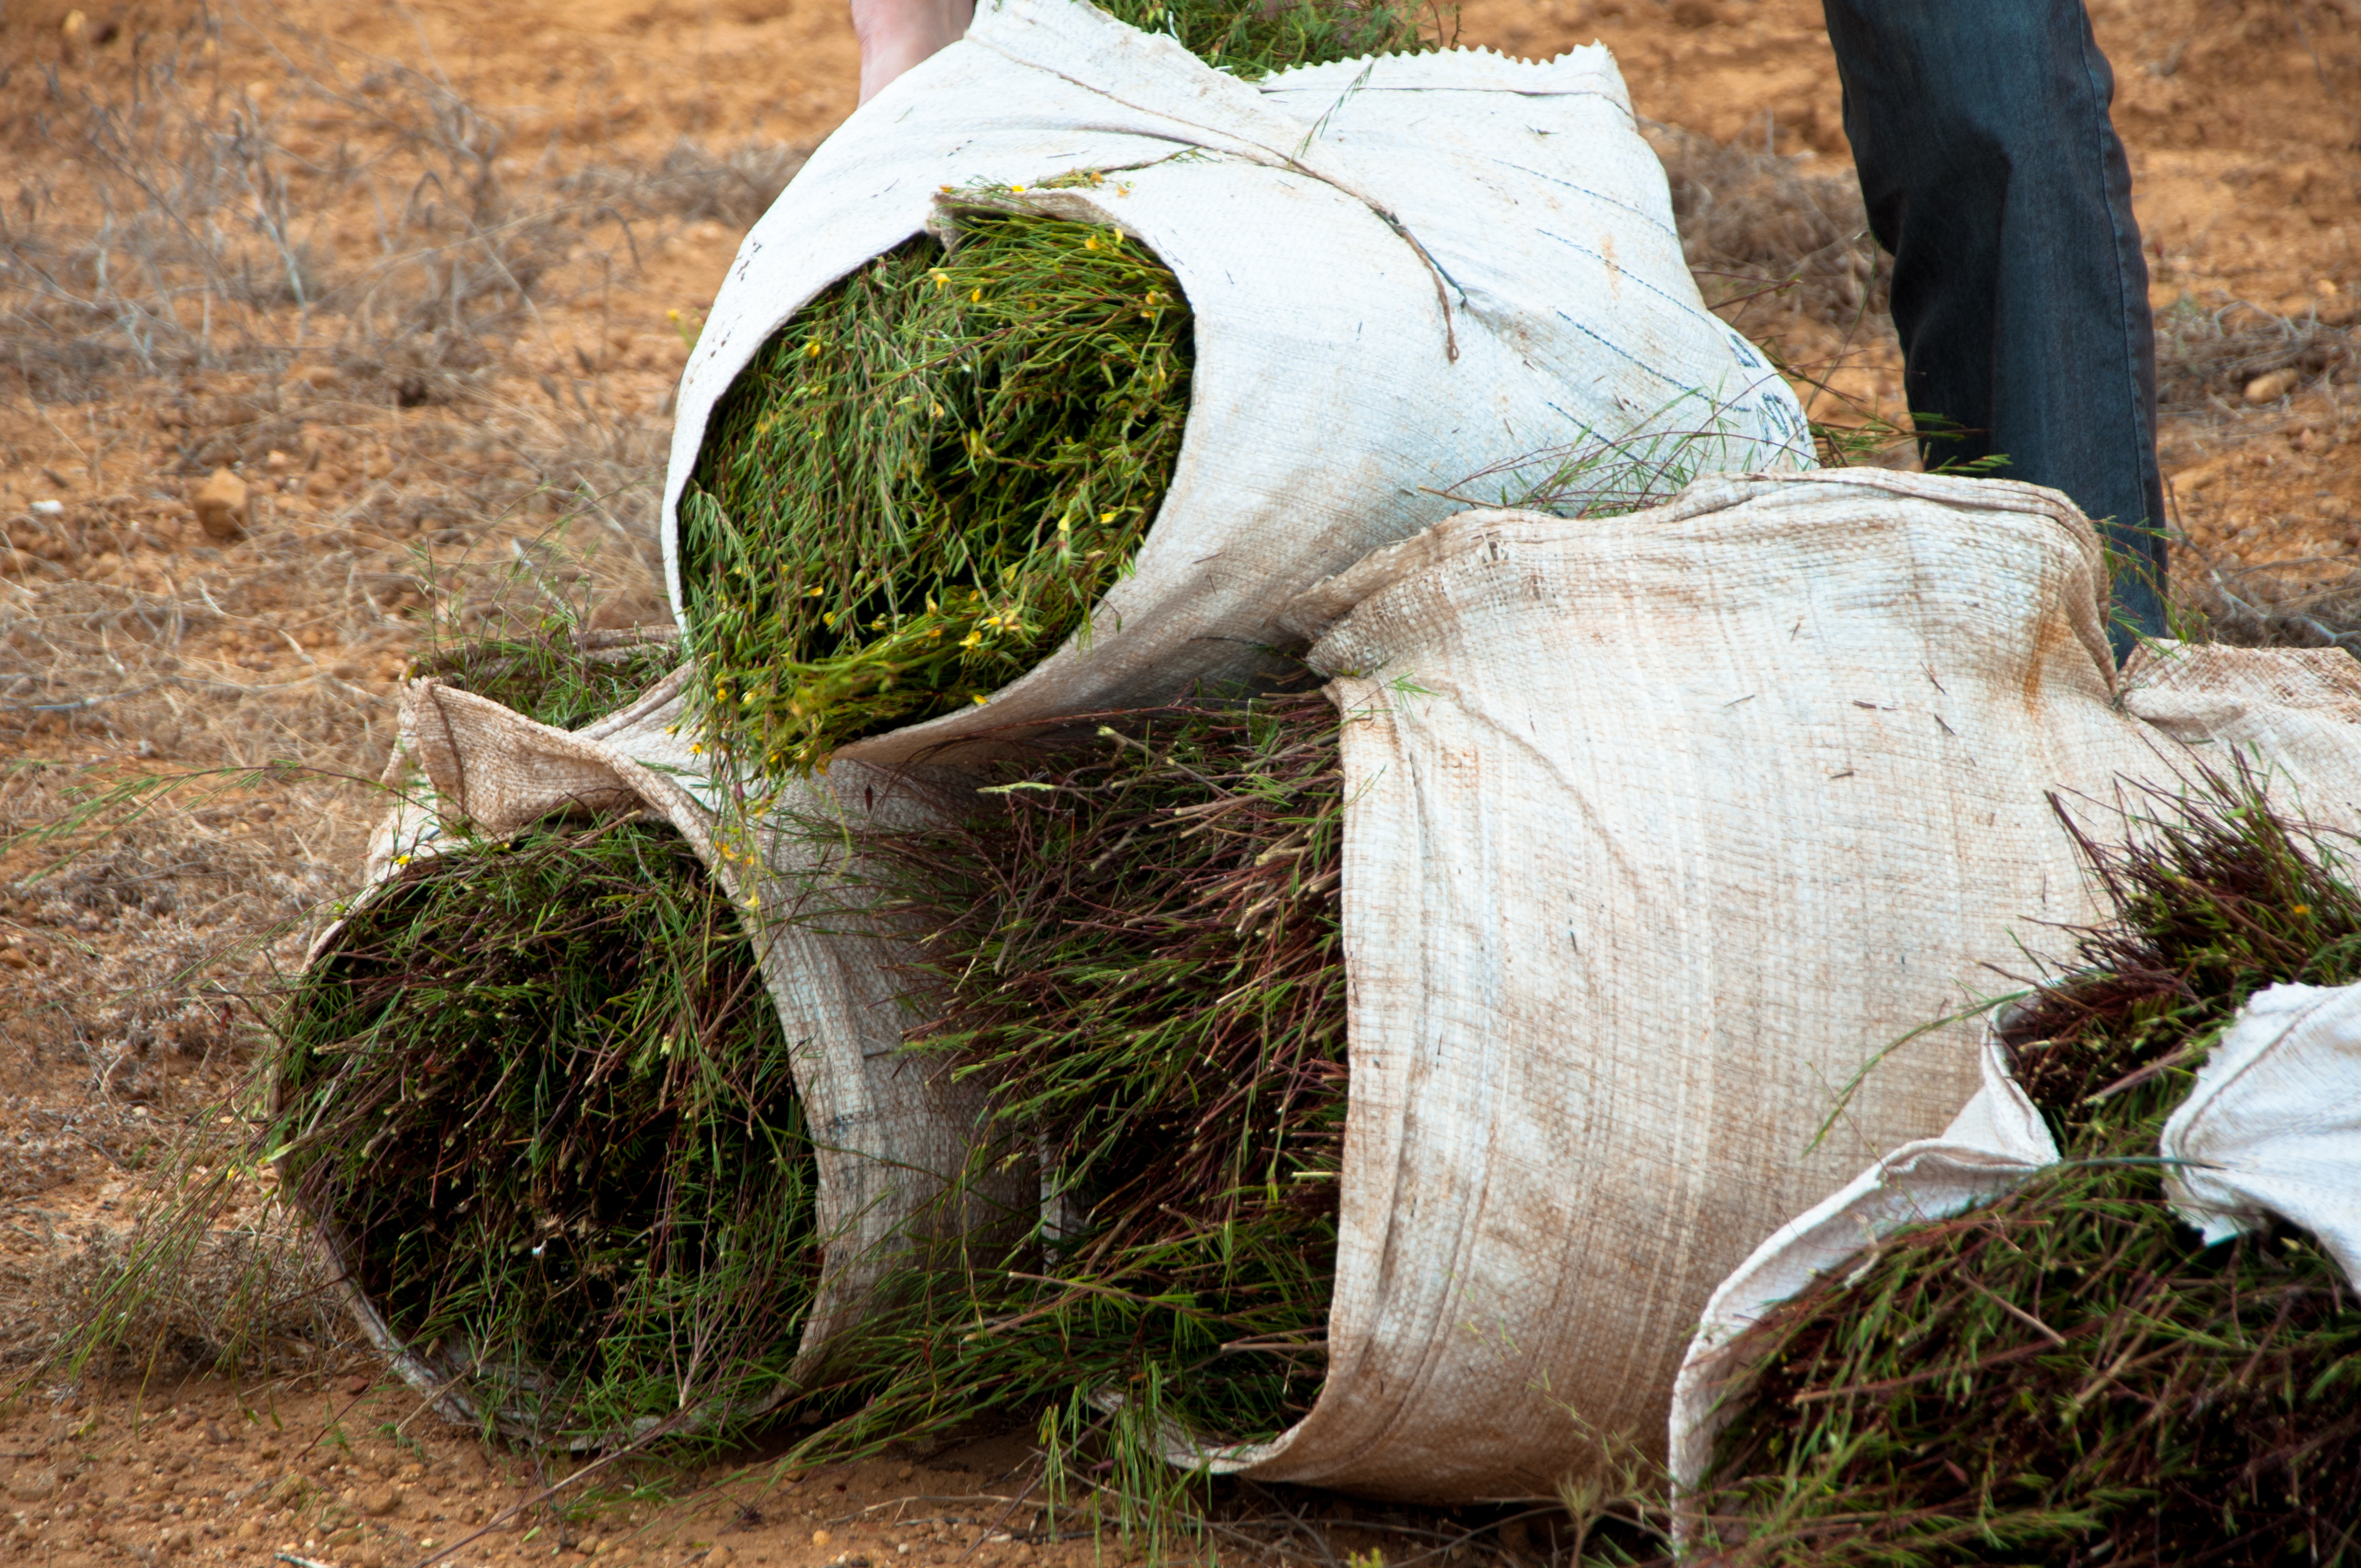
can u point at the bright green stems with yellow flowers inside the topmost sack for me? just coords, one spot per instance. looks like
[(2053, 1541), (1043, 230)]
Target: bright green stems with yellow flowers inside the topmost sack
[(927, 478)]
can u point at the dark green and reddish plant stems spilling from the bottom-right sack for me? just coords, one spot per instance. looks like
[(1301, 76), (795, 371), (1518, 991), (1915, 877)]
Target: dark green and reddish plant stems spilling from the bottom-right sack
[(2069, 1376)]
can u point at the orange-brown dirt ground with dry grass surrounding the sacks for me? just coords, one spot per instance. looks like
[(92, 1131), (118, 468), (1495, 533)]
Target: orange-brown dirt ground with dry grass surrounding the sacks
[(424, 280)]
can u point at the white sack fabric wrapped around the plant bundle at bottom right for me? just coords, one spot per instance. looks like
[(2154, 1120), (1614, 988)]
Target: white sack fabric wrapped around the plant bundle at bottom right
[(2272, 1128)]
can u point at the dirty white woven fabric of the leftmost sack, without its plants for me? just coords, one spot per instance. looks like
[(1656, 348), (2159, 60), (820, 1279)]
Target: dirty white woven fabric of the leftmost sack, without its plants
[(887, 1135)]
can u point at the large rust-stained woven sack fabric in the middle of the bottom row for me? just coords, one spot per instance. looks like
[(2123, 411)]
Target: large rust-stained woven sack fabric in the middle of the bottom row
[(1661, 832)]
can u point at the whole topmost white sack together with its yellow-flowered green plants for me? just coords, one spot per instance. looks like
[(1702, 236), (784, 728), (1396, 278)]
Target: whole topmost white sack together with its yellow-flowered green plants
[(1319, 303)]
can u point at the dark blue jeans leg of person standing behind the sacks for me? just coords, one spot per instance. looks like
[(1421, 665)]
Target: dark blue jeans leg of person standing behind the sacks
[(1994, 176)]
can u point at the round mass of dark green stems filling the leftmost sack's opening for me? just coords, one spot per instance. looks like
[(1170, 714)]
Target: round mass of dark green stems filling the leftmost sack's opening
[(542, 1109)]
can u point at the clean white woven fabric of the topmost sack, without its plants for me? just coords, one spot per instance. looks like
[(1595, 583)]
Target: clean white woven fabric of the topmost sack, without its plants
[(1404, 273)]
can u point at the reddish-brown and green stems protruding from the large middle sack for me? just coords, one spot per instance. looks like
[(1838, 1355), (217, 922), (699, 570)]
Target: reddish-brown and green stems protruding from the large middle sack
[(1137, 955)]
